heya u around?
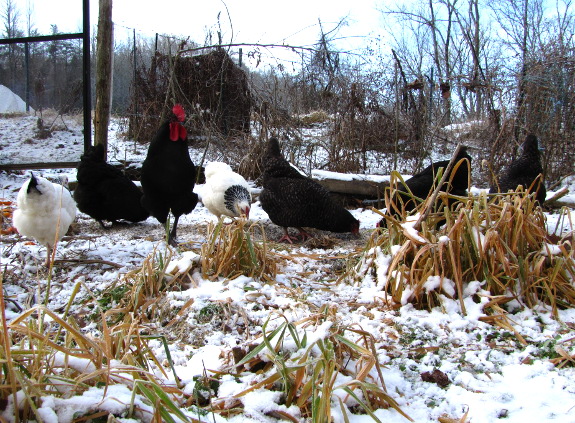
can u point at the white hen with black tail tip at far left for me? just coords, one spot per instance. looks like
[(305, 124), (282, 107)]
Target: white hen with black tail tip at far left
[(45, 212)]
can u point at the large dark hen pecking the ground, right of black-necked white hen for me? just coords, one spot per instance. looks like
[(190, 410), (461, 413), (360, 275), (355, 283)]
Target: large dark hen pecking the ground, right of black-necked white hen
[(292, 200)]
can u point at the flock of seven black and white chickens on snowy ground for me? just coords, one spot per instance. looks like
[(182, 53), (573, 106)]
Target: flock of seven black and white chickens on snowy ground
[(291, 199)]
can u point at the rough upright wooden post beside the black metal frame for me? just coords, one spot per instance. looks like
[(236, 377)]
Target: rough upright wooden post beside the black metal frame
[(103, 73)]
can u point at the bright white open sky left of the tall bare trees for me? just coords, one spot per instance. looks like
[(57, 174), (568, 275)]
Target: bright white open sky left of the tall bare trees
[(254, 21)]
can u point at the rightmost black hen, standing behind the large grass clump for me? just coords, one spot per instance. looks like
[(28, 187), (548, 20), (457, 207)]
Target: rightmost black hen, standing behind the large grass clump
[(524, 171)]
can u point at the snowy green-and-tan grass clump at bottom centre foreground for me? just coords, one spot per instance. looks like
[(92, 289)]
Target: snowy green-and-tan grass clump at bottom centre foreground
[(341, 367)]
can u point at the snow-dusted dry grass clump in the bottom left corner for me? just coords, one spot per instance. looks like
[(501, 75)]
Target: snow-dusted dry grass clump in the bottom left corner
[(46, 354)]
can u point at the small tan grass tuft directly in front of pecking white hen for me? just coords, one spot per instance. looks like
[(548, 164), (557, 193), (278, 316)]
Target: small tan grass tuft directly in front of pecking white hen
[(231, 252)]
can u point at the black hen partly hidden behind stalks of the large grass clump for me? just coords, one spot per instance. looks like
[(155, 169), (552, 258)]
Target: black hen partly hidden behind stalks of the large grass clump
[(423, 183)]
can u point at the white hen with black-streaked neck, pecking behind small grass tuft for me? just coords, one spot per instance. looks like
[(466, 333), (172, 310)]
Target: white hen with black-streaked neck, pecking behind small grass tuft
[(225, 192)]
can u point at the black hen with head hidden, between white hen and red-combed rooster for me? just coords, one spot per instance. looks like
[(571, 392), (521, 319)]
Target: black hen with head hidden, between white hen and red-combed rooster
[(104, 192)]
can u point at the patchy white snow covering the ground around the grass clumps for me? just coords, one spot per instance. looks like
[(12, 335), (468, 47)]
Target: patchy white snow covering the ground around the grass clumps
[(492, 376)]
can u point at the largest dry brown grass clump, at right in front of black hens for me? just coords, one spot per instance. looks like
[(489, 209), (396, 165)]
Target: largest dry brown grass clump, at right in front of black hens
[(501, 242)]
